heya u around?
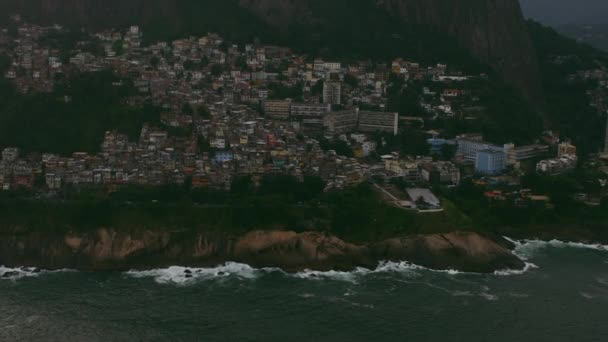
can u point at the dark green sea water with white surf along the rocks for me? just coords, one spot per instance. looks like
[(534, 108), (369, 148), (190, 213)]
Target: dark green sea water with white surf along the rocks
[(562, 297)]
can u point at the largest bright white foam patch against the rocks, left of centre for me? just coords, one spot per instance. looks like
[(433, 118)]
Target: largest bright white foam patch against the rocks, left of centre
[(185, 275)]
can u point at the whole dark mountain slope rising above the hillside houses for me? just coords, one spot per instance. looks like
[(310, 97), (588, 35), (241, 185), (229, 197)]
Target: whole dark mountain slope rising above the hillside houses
[(492, 31)]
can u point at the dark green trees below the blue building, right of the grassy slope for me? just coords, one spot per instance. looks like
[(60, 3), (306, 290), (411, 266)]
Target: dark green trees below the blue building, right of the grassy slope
[(563, 216)]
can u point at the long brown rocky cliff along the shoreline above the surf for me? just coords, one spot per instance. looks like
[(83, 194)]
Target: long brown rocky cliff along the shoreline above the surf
[(107, 249)]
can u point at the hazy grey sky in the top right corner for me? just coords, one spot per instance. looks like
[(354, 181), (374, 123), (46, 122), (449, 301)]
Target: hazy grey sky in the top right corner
[(559, 12)]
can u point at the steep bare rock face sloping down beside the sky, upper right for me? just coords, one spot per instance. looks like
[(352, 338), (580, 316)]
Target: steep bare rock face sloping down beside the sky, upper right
[(493, 30)]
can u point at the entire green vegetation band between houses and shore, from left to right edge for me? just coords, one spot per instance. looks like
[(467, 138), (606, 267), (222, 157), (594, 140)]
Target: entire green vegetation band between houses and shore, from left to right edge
[(356, 214)]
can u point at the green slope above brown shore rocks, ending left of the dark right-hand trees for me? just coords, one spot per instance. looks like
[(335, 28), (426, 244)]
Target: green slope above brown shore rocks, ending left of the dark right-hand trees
[(356, 214)]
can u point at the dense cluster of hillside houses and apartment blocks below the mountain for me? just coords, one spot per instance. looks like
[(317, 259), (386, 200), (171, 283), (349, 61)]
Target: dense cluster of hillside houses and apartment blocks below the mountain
[(251, 110)]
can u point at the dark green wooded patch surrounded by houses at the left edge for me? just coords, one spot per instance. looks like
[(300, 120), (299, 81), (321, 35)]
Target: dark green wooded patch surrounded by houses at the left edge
[(74, 117)]
